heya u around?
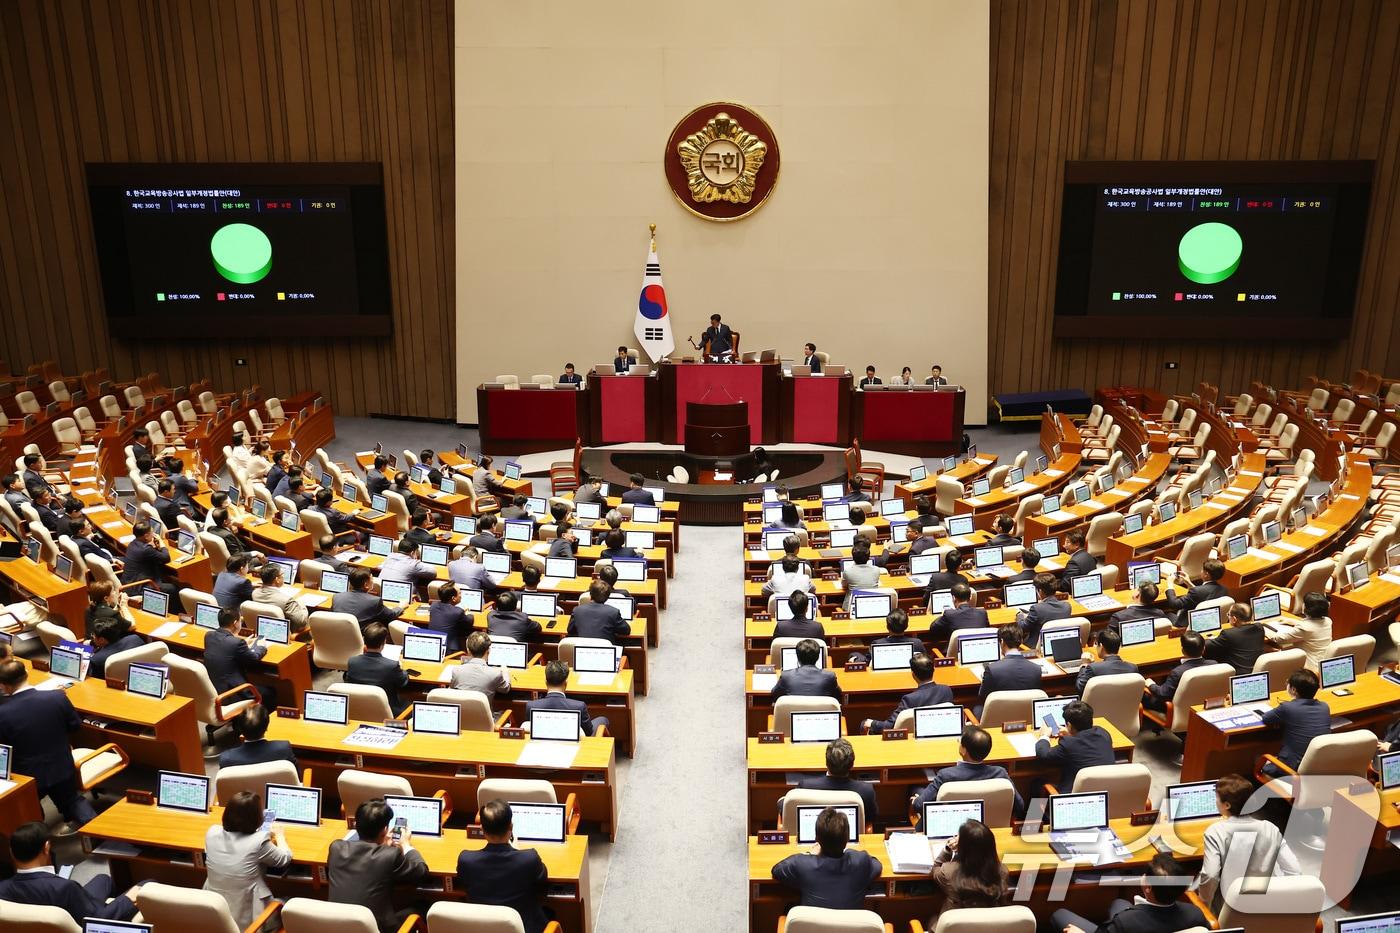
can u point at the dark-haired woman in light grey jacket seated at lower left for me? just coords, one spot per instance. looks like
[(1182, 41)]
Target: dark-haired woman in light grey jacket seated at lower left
[(237, 855)]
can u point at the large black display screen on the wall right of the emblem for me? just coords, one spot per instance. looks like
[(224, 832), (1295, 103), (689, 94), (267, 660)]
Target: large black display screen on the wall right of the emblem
[(1224, 246)]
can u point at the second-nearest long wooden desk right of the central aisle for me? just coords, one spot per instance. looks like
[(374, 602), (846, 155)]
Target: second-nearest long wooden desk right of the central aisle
[(897, 770)]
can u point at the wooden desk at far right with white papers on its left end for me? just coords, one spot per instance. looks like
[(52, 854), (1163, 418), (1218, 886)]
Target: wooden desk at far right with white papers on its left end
[(1212, 752)]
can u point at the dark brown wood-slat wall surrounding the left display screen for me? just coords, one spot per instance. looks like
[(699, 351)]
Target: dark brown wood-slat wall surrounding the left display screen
[(209, 81)]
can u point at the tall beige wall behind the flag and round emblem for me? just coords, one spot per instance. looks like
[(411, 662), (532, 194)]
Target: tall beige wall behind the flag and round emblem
[(874, 243)]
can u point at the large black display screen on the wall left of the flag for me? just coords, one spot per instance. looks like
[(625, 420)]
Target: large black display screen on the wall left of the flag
[(265, 250)]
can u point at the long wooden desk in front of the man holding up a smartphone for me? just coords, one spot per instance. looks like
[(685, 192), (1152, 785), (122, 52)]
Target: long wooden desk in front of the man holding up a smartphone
[(173, 851)]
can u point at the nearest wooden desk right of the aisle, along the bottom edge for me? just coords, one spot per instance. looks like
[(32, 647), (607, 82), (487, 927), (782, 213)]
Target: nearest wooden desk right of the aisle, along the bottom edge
[(908, 897)]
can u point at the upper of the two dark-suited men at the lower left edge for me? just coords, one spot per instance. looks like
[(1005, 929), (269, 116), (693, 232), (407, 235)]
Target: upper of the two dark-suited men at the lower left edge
[(36, 725)]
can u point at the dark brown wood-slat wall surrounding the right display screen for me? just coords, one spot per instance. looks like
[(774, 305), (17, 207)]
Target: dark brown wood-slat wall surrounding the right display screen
[(1184, 81)]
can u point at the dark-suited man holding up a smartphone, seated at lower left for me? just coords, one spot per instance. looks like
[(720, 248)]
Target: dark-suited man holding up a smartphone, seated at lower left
[(365, 871)]
